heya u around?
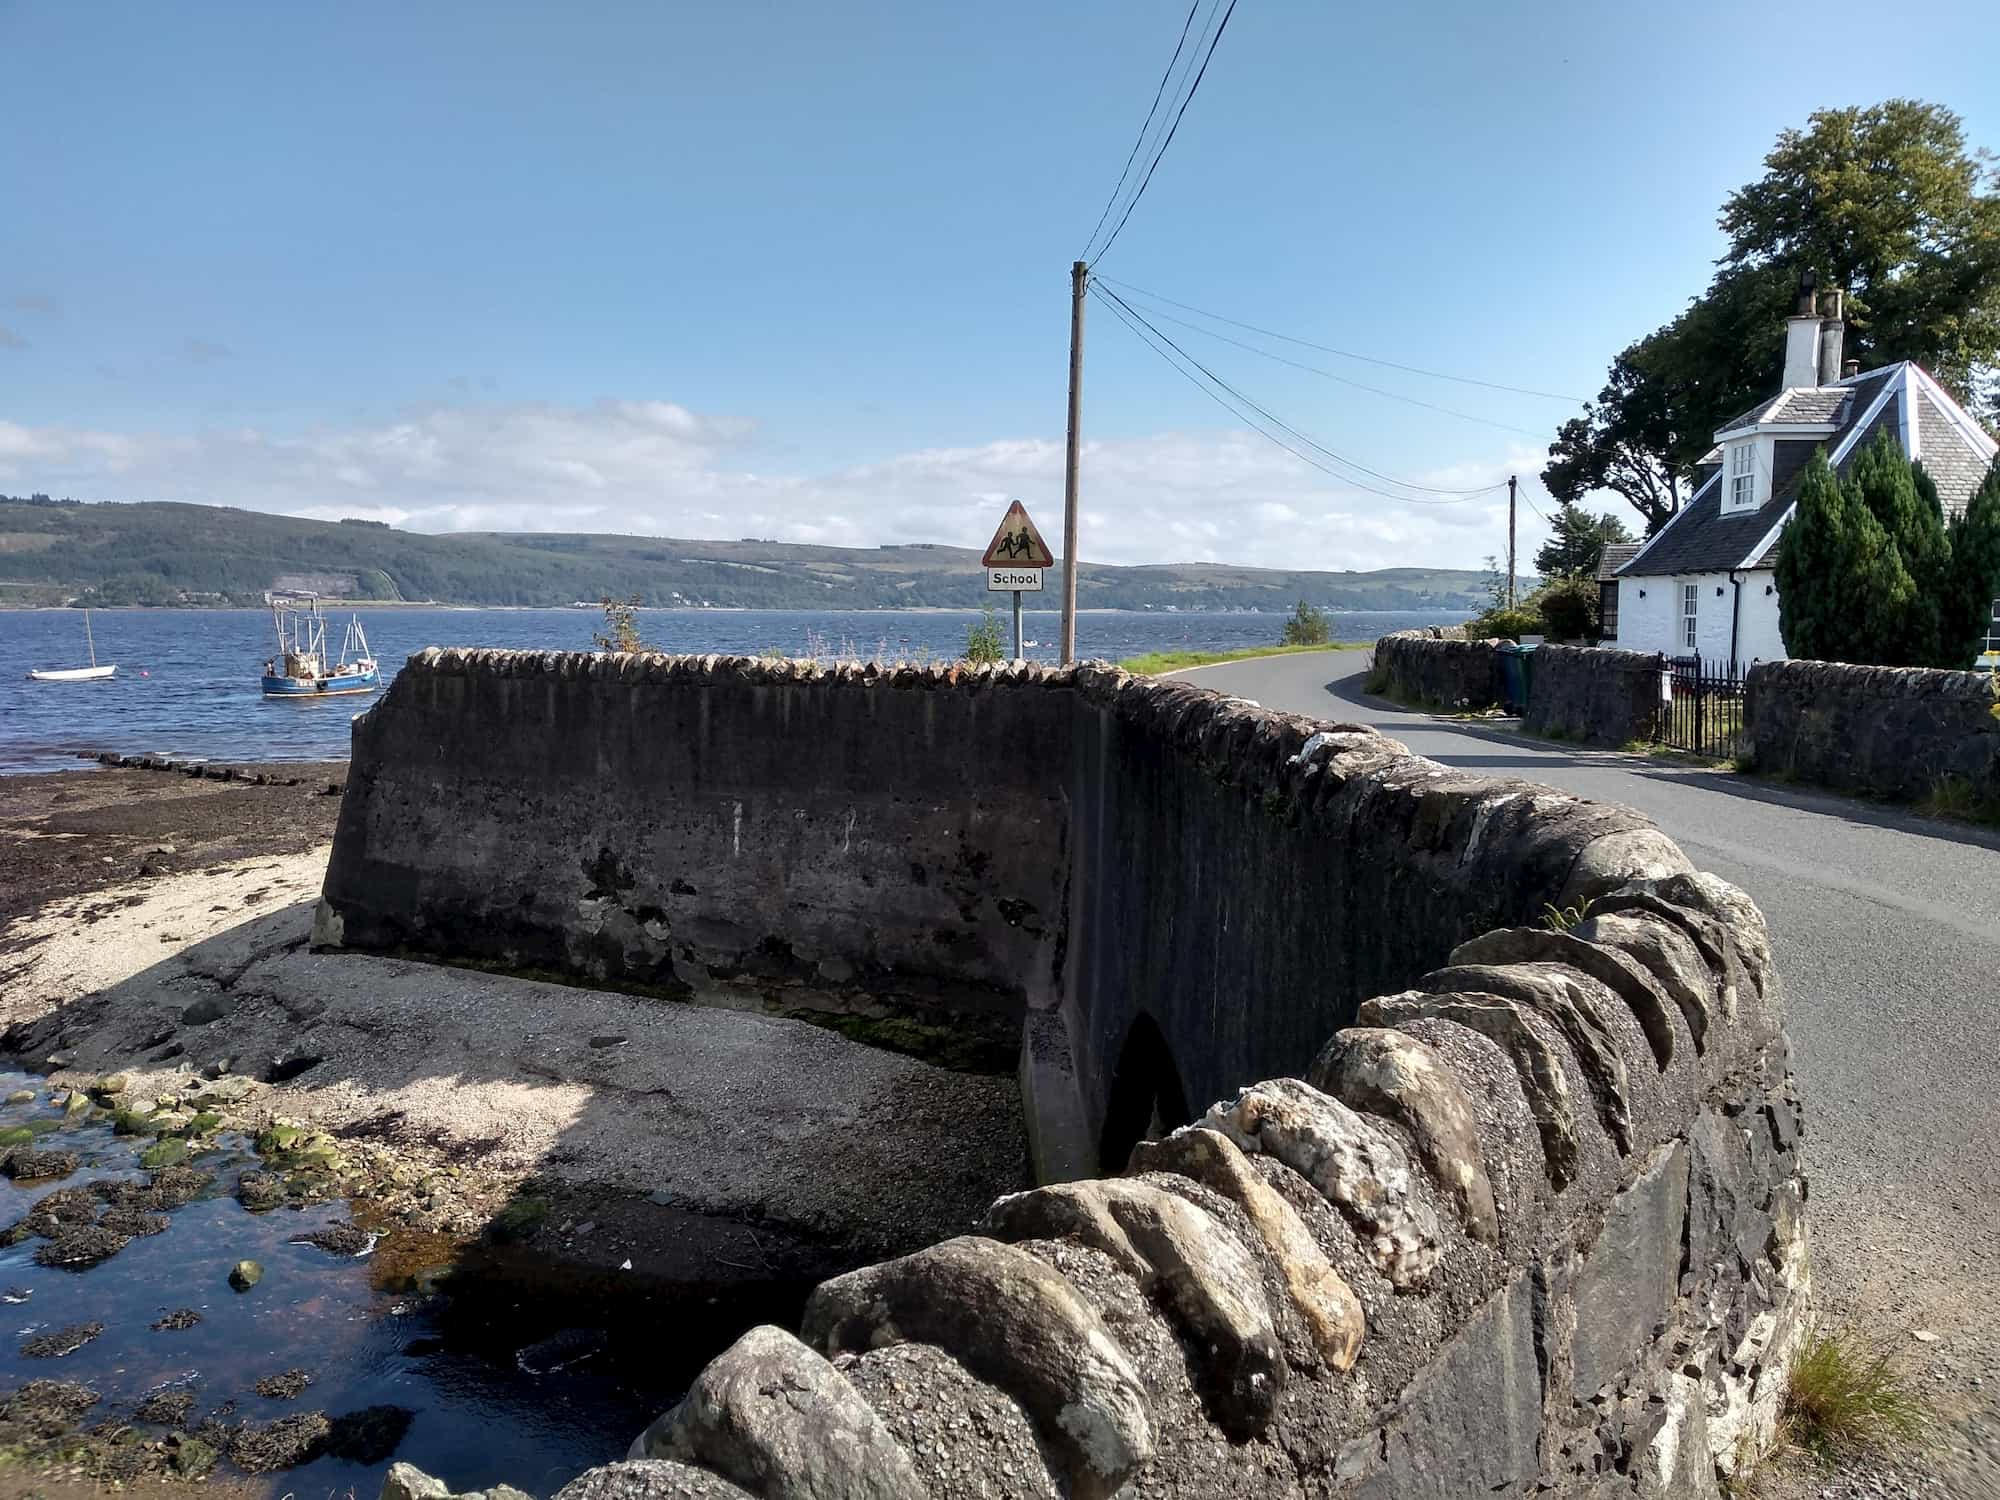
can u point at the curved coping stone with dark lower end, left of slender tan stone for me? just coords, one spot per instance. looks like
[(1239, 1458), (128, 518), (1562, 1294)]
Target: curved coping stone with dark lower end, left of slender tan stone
[(1209, 1283)]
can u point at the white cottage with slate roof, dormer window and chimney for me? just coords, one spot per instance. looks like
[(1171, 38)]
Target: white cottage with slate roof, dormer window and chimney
[(1705, 583)]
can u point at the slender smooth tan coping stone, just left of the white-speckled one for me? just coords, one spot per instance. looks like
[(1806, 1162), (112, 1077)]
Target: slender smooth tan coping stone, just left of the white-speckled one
[(1325, 1301)]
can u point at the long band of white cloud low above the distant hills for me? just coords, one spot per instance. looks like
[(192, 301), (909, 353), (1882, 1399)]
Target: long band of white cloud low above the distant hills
[(653, 467)]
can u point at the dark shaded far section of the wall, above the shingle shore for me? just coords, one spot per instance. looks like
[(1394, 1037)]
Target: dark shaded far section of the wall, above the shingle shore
[(1079, 859)]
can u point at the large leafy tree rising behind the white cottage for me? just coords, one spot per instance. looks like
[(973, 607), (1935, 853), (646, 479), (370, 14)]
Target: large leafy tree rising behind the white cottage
[(1887, 205)]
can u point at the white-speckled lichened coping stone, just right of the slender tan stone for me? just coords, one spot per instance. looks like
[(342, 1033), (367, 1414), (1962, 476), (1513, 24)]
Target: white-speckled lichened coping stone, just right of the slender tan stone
[(1355, 1167)]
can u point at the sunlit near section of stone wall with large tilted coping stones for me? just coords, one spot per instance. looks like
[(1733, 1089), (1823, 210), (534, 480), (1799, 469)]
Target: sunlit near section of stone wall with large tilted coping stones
[(1533, 1227)]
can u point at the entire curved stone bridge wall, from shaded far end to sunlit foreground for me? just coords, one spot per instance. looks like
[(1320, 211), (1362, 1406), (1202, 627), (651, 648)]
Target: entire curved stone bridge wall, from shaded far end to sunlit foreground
[(1501, 1189)]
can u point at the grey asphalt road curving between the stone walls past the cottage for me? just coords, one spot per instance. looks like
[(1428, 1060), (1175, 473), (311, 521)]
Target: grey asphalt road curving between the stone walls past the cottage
[(1887, 933)]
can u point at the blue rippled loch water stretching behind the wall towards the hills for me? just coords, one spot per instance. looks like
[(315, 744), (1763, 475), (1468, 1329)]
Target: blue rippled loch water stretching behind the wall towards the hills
[(189, 679)]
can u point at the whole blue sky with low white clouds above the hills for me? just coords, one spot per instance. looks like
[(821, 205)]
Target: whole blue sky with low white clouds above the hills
[(801, 271)]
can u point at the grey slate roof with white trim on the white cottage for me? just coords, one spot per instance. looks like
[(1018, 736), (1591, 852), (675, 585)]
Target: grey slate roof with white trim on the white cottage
[(1701, 539)]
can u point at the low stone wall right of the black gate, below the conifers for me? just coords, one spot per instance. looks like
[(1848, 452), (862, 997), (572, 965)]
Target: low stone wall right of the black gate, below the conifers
[(1881, 731)]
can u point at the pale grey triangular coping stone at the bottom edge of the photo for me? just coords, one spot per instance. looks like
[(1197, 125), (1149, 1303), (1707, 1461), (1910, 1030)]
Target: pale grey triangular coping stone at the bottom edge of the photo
[(779, 1421)]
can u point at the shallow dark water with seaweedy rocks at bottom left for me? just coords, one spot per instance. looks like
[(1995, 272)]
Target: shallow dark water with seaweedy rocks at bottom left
[(359, 1327)]
